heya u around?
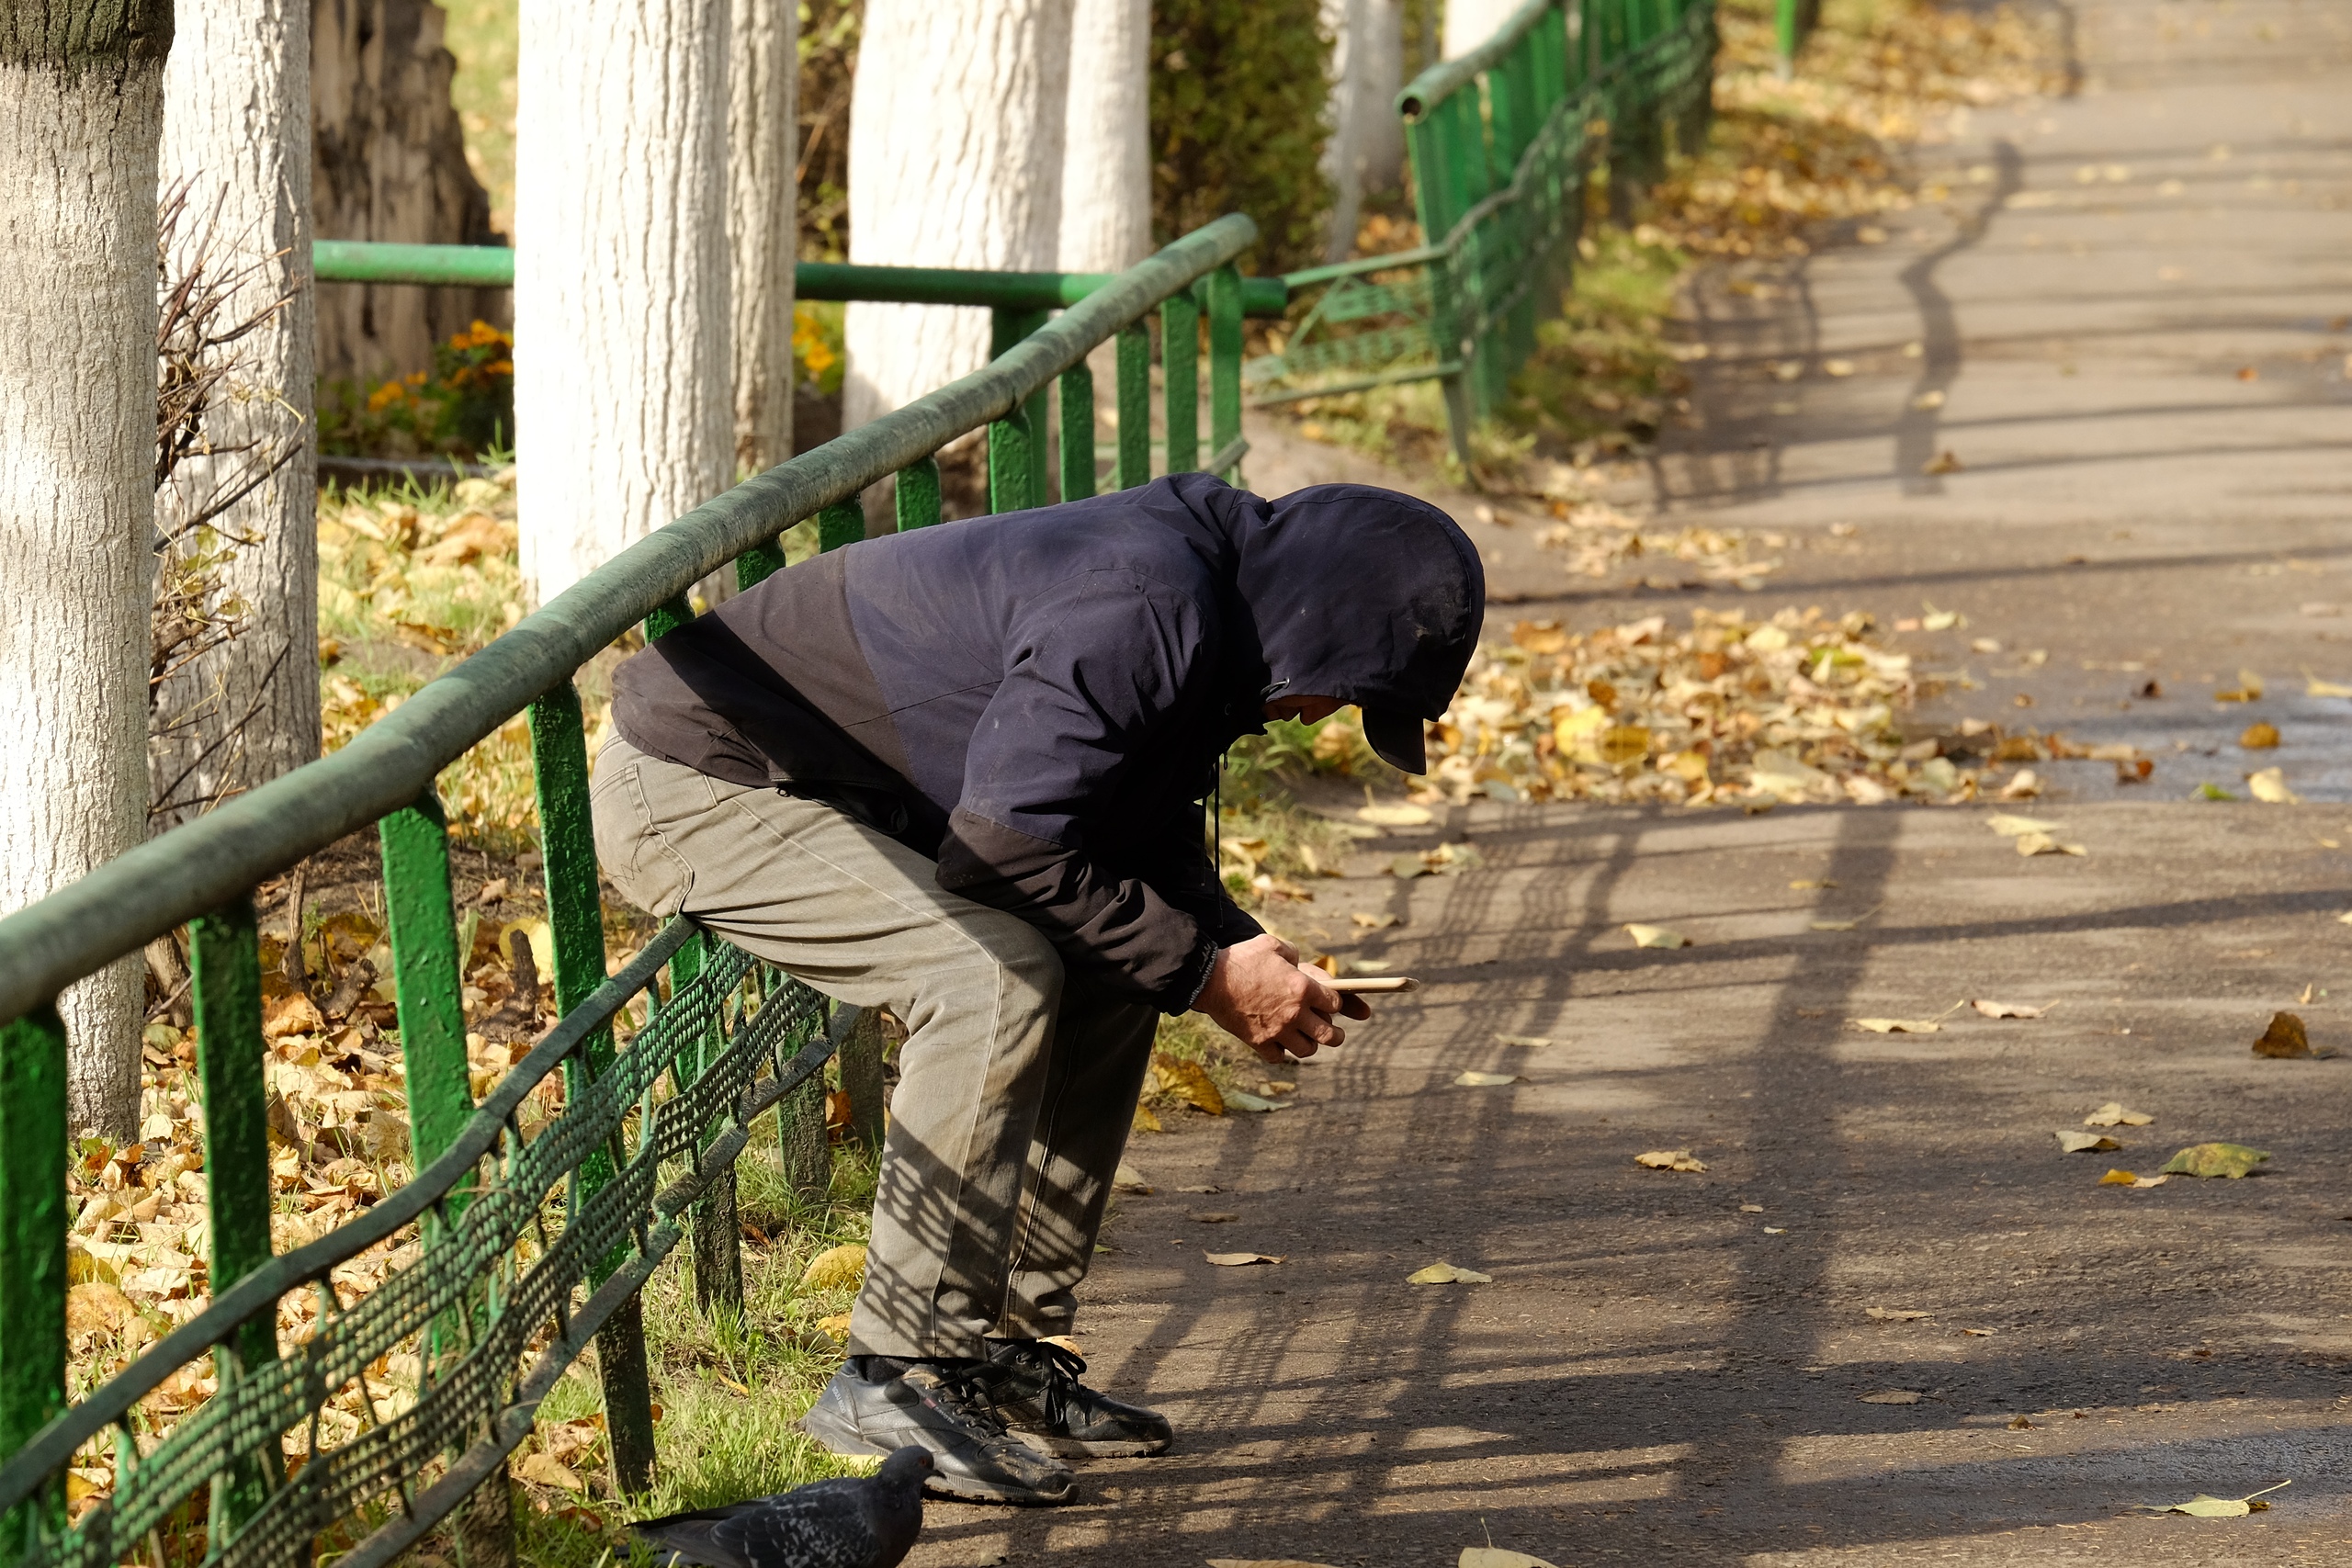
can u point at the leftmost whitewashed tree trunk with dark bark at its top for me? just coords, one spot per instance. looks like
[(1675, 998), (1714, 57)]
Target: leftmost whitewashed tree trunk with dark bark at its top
[(81, 114)]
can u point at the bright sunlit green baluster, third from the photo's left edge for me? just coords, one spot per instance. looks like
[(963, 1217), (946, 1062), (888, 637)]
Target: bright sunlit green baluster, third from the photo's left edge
[(427, 979)]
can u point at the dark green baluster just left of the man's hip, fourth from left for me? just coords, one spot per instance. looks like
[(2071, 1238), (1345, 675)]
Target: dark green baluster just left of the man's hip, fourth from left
[(577, 925)]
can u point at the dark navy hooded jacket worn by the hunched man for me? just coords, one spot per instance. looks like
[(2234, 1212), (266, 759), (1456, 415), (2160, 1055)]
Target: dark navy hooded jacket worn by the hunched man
[(1041, 702)]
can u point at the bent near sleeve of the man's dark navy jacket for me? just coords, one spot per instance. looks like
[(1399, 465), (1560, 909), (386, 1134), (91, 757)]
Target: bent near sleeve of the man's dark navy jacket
[(1095, 671)]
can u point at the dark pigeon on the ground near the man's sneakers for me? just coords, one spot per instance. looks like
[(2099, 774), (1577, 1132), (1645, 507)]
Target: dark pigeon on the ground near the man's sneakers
[(829, 1525)]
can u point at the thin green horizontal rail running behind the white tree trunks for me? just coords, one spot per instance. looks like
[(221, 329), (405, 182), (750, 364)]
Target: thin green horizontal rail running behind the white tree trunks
[(493, 267)]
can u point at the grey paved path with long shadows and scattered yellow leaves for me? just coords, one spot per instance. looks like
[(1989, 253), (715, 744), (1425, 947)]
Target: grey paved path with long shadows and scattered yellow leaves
[(1671, 1367)]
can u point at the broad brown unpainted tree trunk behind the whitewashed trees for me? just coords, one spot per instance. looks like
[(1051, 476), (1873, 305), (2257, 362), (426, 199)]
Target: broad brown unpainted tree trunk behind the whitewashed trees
[(389, 163)]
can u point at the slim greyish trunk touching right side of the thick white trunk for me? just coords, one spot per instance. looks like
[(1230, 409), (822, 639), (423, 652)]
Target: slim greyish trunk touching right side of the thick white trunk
[(763, 222)]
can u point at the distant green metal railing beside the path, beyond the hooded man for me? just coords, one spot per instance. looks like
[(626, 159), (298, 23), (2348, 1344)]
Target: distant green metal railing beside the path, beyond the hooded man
[(1502, 145)]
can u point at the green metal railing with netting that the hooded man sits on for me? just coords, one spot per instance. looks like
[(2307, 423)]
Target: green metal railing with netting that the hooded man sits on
[(528, 1247)]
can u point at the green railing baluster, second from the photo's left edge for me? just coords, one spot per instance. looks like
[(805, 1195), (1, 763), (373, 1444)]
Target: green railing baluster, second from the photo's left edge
[(225, 960)]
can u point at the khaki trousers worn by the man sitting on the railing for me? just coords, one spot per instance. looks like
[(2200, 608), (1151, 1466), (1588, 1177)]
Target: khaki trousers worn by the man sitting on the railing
[(1017, 1083)]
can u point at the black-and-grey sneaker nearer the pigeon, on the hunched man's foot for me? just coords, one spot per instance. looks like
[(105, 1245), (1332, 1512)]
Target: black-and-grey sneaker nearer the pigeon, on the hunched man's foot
[(942, 1407)]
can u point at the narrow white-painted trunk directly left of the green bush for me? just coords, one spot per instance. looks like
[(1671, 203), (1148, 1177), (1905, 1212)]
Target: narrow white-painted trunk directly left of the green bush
[(1107, 163)]
